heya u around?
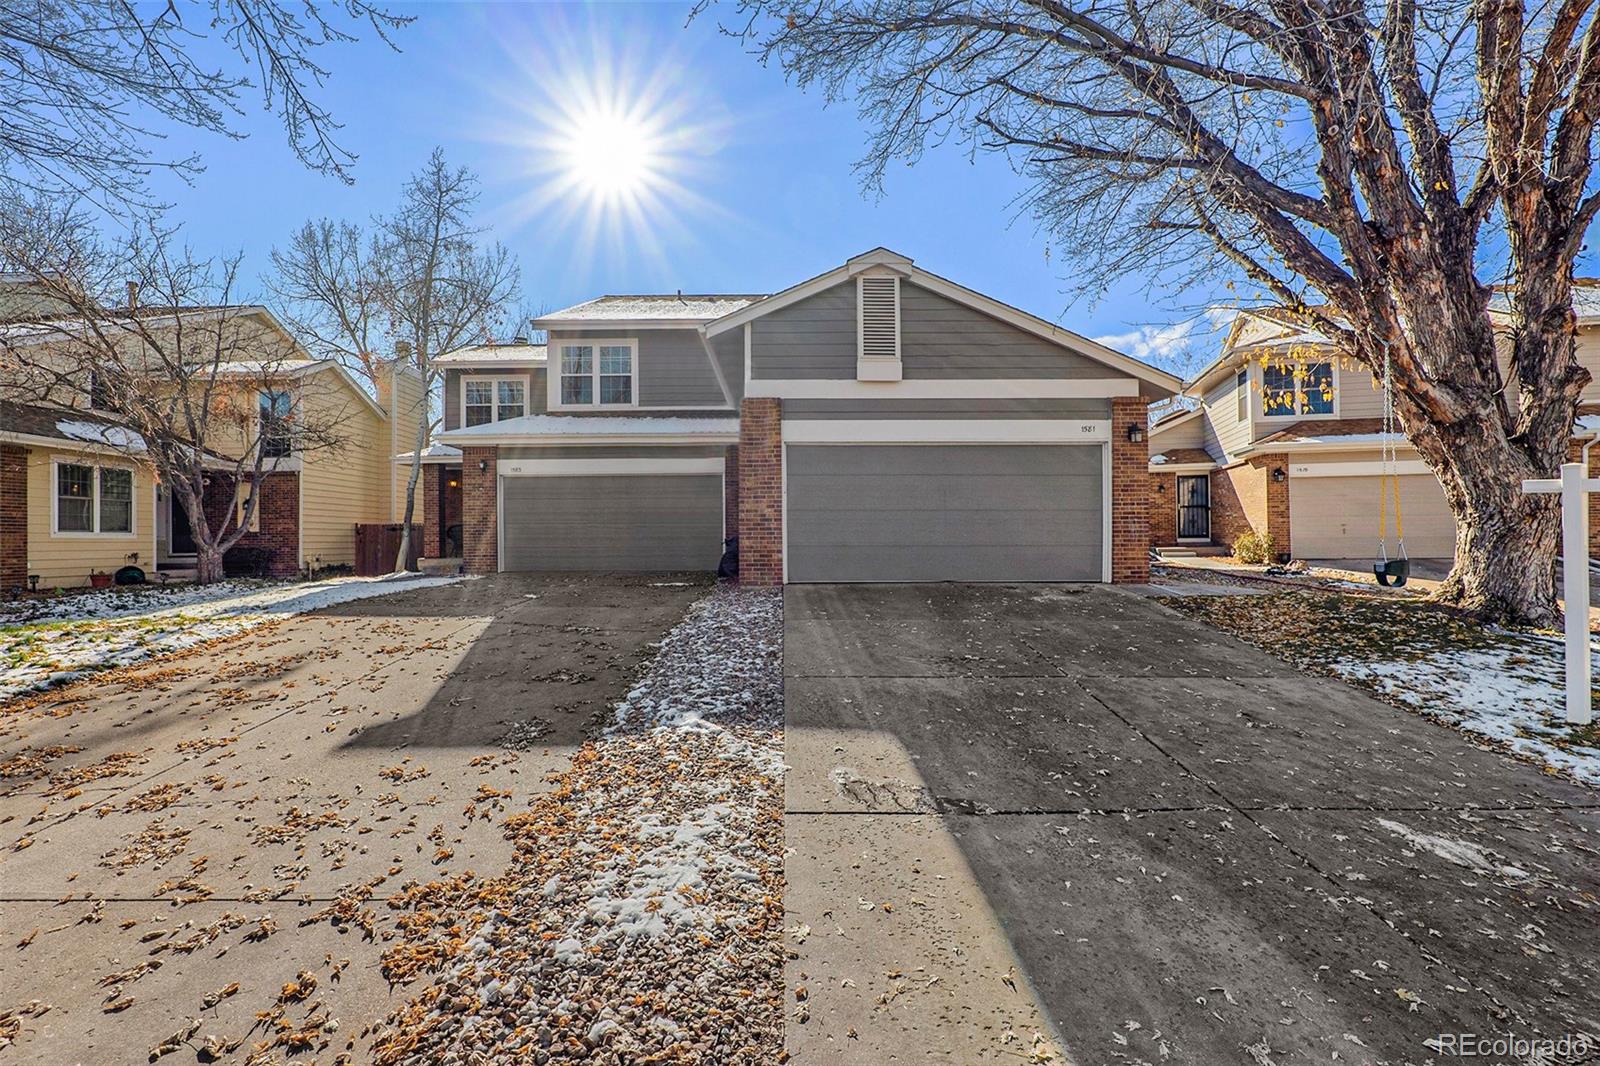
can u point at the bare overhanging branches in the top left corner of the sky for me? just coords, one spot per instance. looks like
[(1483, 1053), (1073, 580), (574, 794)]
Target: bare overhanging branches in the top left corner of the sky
[(87, 87)]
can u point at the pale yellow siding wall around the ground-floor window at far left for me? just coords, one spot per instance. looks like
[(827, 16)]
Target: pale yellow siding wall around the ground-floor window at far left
[(65, 561)]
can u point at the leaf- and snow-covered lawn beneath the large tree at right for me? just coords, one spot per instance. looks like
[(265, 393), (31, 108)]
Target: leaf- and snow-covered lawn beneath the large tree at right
[(1503, 686)]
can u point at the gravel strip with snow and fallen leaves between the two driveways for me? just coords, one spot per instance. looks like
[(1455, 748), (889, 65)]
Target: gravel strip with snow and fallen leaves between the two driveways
[(642, 918)]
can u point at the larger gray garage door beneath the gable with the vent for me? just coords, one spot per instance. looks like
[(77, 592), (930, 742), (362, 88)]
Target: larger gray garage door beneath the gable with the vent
[(945, 513)]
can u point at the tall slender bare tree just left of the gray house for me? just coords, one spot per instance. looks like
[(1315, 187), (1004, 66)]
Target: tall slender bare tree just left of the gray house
[(422, 281)]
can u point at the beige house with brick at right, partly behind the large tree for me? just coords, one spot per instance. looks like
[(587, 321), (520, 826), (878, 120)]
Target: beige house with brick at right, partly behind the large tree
[(1287, 439)]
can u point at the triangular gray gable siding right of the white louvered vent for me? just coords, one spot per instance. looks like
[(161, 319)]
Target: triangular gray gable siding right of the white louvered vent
[(942, 339)]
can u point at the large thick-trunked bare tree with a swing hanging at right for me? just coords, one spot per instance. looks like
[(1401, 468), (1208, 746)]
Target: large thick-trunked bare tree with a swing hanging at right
[(1370, 167)]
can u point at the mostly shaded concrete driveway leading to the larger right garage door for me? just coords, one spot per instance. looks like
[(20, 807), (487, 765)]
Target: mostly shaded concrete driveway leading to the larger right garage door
[(1068, 811)]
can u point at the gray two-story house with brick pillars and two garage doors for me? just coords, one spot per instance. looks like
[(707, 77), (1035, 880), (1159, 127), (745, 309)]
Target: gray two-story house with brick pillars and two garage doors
[(874, 423)]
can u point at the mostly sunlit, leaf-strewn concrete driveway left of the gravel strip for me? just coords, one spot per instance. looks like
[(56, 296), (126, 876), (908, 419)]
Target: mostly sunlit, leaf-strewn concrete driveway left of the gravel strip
[(194, 843)]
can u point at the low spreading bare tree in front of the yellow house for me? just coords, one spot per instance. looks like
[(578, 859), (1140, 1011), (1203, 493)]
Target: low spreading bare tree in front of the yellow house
[(206, 391)]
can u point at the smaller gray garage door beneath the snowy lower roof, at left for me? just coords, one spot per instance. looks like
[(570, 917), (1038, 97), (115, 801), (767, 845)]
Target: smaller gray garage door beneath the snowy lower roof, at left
[(612, 523)]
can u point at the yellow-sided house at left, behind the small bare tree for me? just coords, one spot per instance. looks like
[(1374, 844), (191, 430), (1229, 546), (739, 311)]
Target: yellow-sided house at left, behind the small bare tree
[(79, 497)]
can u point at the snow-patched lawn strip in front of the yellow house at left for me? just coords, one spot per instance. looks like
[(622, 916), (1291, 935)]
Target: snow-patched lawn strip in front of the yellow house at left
[(57, 641)]
